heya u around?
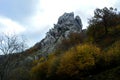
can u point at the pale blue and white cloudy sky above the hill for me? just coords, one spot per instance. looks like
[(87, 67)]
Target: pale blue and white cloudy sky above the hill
[(33, 18)]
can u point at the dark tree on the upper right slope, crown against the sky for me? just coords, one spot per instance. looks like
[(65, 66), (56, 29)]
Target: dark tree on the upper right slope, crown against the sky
[(102, 21)]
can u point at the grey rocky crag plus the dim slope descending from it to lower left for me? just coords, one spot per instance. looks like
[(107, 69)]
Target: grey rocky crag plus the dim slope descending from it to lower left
[(21, 63)]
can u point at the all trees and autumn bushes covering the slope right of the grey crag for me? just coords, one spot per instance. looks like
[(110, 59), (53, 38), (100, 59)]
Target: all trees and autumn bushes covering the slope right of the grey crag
[(87, 55)]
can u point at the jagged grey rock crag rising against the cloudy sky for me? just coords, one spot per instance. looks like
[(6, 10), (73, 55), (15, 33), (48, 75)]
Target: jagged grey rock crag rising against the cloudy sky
[(66, 24)]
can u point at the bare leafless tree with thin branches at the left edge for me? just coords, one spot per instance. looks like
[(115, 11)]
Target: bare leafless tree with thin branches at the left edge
[(9, 45)]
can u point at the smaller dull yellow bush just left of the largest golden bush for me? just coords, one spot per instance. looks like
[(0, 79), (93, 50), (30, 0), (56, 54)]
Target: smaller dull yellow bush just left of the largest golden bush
[(45, 69)]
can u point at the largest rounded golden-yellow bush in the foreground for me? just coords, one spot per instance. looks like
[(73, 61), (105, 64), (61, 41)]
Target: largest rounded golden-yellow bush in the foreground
[(79, 61)]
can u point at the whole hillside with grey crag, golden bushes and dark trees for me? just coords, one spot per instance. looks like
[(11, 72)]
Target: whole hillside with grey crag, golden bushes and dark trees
[(70, 53)]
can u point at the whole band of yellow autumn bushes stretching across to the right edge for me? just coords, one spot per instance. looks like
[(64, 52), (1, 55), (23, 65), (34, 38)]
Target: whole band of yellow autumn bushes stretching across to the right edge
[(77, 62)]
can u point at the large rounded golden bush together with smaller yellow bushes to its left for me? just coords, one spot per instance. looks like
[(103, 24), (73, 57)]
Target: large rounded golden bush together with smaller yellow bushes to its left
[(75, 62)]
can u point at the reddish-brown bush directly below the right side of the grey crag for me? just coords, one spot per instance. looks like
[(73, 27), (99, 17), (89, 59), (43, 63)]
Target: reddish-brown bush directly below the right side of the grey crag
[(74, 39)]
